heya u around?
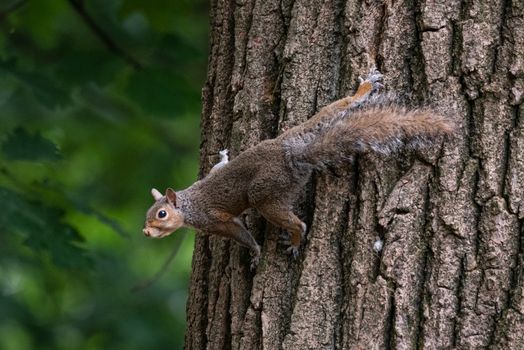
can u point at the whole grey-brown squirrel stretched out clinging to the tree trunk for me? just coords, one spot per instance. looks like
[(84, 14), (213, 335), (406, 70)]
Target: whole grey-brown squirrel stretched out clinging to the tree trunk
[(270, 175)]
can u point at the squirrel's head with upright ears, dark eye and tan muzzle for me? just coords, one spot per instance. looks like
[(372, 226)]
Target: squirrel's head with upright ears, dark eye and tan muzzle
[(163, 217)]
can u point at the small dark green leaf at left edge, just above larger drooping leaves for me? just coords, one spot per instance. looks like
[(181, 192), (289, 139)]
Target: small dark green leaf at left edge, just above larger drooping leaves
[(20, 145)]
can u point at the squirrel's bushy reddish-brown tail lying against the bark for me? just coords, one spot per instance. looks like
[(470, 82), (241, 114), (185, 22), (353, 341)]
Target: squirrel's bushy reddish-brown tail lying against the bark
[(381, 129)]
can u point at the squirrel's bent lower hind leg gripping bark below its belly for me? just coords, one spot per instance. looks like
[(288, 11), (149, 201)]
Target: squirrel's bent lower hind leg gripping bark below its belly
[(282, 216)]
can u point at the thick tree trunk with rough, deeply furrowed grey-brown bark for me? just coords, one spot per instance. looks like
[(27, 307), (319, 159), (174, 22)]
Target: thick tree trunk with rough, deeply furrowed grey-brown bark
[(450, 274)]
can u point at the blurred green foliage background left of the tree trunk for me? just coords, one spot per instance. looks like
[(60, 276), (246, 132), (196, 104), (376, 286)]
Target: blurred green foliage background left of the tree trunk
[(84, 135)]
